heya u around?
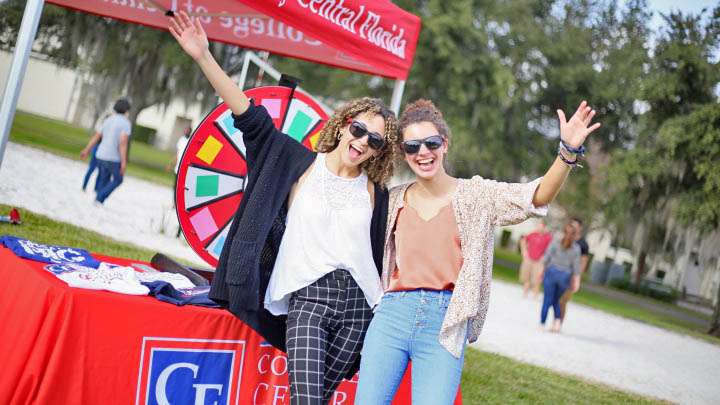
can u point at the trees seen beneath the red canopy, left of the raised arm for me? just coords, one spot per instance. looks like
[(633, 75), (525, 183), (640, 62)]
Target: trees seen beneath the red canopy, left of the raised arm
[(120, 59)]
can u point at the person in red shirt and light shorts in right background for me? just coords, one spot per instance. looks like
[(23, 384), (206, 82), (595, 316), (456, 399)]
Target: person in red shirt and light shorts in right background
[(533, 247)]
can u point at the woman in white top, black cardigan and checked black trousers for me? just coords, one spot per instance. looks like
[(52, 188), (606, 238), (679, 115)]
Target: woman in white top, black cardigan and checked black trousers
[(302, 261)]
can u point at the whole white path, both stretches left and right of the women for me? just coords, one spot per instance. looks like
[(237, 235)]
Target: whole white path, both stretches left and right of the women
[(593, 345)]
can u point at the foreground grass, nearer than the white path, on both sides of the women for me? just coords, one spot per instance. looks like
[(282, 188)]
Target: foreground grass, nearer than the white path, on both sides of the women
[(487, 378)]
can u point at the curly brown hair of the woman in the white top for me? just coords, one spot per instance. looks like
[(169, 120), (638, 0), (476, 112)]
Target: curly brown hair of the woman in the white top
[(379, 169)]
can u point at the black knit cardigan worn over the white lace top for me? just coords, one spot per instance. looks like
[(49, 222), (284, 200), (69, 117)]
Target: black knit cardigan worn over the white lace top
[(275, 161)]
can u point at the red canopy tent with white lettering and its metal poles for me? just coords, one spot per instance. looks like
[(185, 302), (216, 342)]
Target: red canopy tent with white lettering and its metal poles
[(371, 37)]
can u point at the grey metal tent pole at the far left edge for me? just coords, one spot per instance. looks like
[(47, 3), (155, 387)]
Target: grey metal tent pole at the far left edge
[(26, 37)]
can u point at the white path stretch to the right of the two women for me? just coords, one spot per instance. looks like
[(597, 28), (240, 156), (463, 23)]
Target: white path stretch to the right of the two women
[(598, 346)]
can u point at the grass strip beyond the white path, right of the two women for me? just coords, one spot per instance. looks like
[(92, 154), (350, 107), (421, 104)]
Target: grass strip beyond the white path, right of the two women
[(622, 308)]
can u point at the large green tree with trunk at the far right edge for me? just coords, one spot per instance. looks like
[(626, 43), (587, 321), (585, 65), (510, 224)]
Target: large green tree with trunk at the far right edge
[(666, 176)]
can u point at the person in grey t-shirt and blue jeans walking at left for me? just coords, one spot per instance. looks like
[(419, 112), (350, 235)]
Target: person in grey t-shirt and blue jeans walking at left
[(113, 139)]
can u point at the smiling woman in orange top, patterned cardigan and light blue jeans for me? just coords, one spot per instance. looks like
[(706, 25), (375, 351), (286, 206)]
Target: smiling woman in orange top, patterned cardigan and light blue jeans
[(438, 258)]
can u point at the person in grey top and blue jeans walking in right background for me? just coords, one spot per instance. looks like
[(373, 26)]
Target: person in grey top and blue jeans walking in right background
[(561, 263)]
